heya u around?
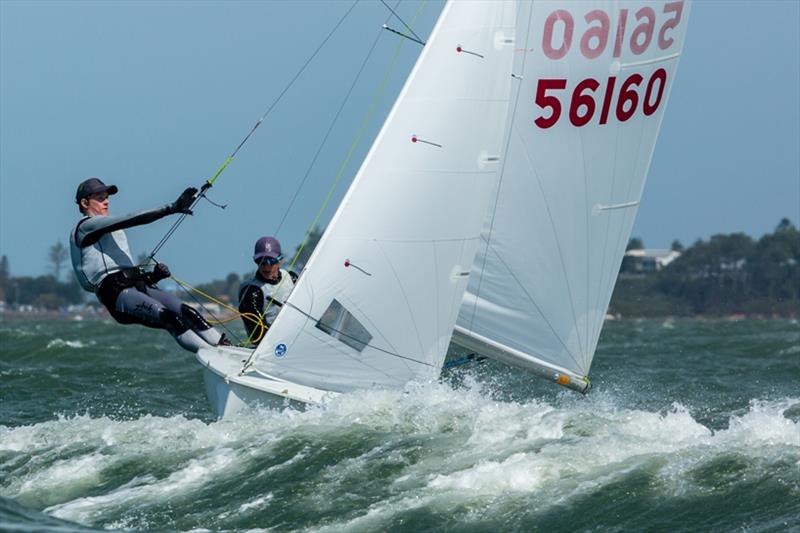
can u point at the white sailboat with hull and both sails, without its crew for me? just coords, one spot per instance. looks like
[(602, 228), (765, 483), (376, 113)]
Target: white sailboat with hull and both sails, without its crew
[(492, 210)]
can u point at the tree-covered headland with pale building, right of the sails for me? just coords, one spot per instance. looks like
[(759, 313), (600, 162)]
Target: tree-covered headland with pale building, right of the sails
[(727, 274)]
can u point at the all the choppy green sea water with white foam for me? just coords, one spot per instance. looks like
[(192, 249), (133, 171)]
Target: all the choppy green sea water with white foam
[(690, 426)]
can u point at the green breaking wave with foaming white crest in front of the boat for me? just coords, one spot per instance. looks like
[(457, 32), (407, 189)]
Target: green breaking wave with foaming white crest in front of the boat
[(373, 460)]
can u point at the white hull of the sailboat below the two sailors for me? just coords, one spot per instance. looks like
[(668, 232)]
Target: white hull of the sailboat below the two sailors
[(230, 392)]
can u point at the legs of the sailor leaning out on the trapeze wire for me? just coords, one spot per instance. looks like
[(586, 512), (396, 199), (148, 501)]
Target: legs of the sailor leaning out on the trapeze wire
[(143, 309)]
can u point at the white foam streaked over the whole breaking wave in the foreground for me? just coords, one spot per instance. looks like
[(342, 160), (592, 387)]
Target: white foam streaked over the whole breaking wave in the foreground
[(465, 446)]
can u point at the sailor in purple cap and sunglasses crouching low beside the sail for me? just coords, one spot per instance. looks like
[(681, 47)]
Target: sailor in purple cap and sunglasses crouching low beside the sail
[(265, 294)]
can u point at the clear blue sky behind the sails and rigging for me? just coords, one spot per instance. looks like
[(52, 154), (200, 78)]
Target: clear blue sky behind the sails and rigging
[(153, 96)]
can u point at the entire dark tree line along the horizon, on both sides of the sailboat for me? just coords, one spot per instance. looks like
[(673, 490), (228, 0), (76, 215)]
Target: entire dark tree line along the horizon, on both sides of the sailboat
[(726, 274)]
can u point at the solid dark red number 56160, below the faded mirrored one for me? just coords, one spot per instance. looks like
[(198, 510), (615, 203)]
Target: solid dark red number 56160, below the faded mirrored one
[(583, 106)]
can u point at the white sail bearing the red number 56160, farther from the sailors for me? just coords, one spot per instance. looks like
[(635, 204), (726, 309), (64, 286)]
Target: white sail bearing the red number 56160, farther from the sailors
[(591, 85)]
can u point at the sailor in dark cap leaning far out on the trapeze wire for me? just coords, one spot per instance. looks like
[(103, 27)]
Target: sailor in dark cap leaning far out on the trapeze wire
[(103, 265)]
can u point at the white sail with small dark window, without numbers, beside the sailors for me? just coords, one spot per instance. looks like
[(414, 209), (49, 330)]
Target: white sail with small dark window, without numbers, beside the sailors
[(379, 298)]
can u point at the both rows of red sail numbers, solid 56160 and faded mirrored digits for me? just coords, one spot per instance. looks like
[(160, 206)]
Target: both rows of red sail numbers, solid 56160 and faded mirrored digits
[(594, 99)]
